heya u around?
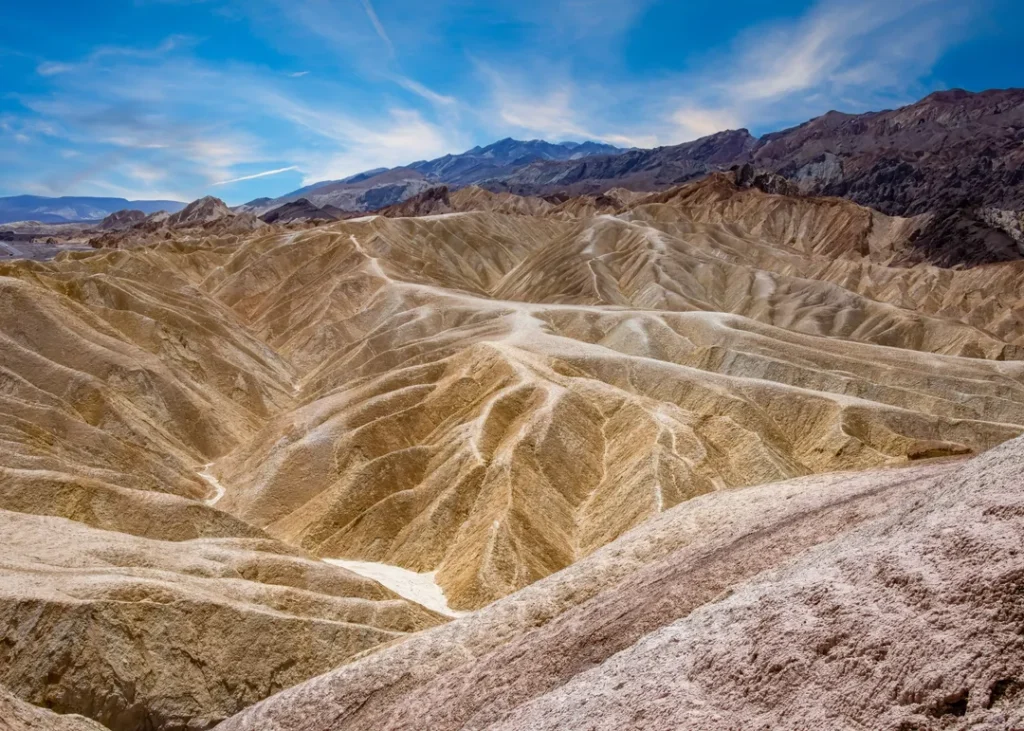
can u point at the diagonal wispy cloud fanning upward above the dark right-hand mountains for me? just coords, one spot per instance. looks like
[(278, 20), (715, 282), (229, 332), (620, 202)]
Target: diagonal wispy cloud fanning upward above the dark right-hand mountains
[(839, 55)]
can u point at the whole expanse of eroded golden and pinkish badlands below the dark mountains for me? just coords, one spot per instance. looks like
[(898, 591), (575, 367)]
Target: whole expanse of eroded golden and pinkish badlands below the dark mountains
[(513, 395)]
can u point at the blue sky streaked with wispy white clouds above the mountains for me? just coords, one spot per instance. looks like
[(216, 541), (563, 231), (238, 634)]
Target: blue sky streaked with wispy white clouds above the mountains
[(242, 99)]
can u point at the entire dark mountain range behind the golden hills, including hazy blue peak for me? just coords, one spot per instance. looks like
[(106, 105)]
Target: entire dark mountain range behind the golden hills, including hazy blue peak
[(956, 156)]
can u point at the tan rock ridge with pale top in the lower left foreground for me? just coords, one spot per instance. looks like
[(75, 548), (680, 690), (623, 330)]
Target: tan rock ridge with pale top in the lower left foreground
[(176, 634)]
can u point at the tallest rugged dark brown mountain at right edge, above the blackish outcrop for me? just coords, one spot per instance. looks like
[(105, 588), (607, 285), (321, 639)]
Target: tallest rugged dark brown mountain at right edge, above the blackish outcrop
[(950, 149)]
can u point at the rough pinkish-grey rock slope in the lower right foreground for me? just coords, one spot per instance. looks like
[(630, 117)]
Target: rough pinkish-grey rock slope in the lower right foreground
[(888, 599)]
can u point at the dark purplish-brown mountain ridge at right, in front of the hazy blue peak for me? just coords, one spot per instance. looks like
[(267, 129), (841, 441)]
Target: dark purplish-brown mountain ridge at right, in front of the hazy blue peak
[(956, 155)]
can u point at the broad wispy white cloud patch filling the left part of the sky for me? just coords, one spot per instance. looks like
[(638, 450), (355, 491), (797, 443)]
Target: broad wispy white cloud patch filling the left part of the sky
[(155, 114)]
